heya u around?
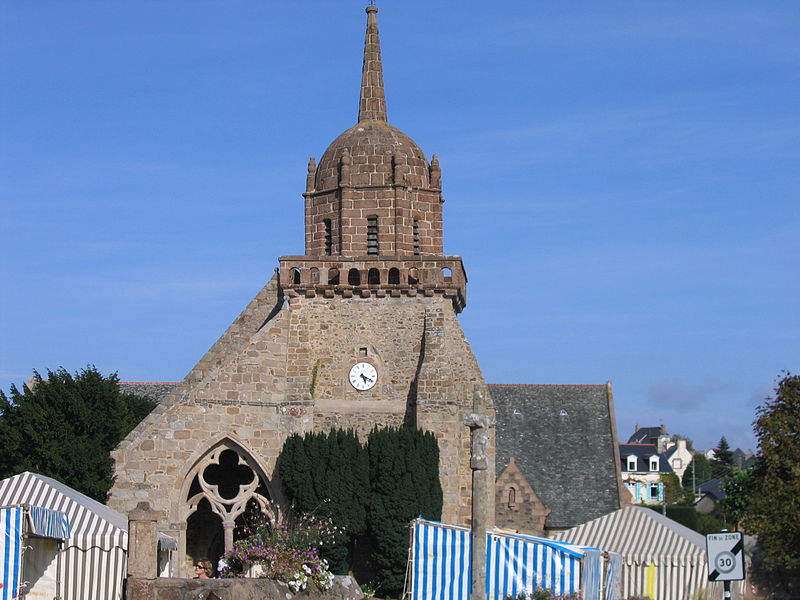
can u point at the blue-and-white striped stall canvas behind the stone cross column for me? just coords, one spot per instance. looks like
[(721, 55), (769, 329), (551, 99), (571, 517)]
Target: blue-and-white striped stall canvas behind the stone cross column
[(441, 569)]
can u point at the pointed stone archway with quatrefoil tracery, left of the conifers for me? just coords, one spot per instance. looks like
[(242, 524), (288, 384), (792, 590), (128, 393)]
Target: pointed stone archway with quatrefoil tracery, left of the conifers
[(225, 487)]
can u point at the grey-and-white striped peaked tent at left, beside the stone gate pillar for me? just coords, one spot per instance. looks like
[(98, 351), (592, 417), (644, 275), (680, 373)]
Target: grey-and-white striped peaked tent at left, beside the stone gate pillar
[(92, 560)]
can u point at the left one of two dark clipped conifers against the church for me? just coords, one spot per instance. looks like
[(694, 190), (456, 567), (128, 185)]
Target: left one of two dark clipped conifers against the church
[(328, 474)]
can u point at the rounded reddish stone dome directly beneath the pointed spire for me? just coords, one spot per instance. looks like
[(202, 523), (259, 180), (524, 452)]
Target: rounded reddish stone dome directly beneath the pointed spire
[(379, 154)]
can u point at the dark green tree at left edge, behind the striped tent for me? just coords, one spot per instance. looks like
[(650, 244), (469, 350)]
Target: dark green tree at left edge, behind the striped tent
[(65, 426)]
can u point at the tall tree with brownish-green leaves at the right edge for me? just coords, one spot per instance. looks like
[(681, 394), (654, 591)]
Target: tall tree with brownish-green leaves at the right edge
[(774, 501)]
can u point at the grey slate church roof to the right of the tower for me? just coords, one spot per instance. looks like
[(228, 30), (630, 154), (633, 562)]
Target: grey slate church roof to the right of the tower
[(563, 438)]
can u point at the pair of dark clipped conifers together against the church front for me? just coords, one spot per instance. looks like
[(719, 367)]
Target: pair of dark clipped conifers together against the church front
[(377, 490)]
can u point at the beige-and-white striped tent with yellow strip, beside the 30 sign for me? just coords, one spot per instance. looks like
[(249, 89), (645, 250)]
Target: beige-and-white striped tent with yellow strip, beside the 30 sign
[(659, 555)]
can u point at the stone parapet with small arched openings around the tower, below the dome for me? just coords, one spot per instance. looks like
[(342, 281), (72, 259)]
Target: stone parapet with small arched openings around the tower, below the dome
[(379, 276)]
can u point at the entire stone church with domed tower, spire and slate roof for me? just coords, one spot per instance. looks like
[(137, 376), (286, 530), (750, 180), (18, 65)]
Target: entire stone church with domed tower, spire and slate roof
[(361, 330)]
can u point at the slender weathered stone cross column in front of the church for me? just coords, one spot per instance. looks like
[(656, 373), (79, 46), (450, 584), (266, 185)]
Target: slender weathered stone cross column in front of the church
[(479, 422)]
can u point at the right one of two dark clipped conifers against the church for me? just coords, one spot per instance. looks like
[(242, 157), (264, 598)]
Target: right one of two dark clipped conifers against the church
[(404, 476)]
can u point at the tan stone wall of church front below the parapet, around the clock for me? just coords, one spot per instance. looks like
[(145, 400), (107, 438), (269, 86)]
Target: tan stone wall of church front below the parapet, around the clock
[(290, 376)]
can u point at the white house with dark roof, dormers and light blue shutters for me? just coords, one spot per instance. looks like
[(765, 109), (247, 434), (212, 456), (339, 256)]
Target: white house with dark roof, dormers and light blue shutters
[(642, 467)]
